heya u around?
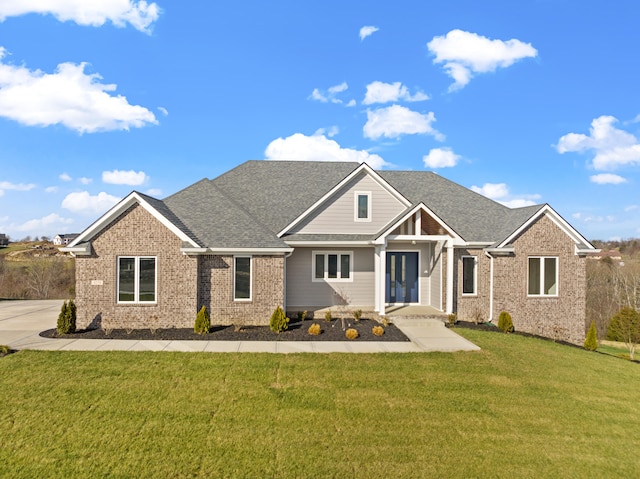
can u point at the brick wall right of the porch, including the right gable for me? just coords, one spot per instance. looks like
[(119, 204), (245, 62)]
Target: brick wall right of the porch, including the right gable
[(561, 317)]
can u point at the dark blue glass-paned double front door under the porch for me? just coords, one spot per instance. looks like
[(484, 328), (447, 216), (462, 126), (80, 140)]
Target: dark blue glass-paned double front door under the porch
[(402, 278)]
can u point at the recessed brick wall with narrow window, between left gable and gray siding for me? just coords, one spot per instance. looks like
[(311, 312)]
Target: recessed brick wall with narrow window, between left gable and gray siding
[(215, 290)]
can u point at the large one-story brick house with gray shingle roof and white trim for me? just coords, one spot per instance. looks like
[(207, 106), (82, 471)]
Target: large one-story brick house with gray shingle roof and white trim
[(312, 235)]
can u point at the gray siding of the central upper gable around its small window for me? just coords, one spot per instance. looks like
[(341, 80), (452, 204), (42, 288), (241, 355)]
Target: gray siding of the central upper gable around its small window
[(336, 215)]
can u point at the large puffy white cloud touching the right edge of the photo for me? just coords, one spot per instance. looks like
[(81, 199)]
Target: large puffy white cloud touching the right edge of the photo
[(613, 147)]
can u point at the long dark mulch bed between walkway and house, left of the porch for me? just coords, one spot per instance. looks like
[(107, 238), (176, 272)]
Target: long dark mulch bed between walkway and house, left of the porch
[(331, 331)]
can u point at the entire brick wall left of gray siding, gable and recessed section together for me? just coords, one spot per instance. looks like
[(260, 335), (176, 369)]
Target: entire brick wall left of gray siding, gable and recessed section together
[(184, 283)]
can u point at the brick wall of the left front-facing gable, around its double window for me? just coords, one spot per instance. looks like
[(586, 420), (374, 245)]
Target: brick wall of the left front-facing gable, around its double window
[(136, 233)]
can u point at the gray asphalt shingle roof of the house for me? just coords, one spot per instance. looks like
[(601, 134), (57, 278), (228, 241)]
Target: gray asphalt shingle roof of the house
[(250, 204)]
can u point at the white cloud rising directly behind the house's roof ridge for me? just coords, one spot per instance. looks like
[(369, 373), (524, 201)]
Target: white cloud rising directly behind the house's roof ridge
[(299, 147)]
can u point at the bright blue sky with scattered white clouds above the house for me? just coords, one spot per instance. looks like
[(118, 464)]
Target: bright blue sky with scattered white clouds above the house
[(526, 102)]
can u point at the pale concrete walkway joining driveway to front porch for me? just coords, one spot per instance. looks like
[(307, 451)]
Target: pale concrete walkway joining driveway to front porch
[(22, 321)]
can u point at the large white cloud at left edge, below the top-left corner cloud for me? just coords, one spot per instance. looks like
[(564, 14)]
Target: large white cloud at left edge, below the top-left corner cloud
[(67, 97)]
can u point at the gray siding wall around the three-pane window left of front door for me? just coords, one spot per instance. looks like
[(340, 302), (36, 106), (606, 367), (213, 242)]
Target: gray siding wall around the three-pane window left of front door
[(303, 292)]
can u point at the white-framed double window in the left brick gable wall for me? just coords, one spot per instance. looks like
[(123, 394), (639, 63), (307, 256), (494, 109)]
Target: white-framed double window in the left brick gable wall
[(137, 279)]
